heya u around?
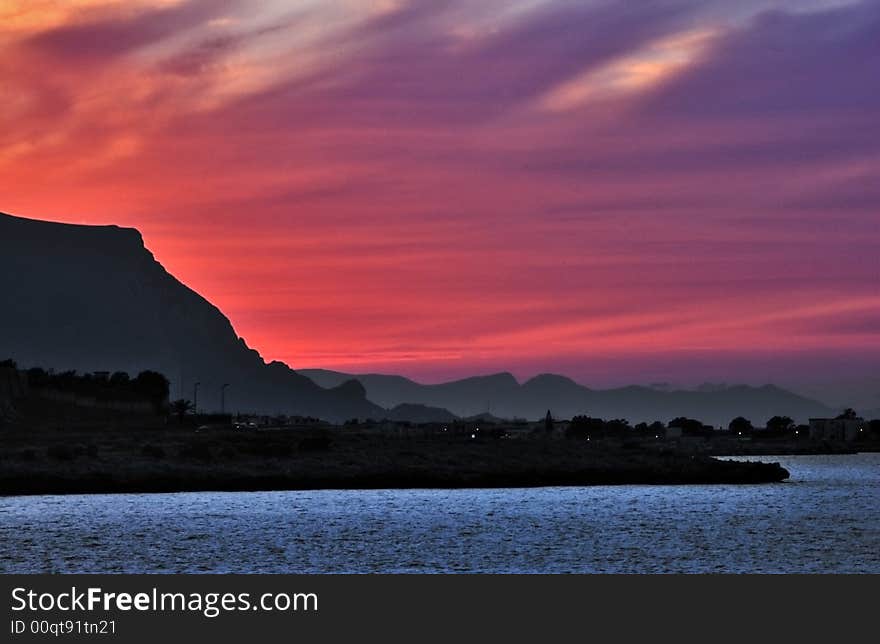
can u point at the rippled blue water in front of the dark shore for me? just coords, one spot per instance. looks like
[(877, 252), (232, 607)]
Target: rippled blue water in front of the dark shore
[(825, 519)]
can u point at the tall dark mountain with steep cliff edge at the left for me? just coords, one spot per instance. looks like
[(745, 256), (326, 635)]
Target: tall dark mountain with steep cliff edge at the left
[(93, 298)]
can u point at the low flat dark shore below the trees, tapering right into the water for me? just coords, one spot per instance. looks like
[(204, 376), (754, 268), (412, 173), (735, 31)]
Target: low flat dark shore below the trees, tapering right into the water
[(103, 462)]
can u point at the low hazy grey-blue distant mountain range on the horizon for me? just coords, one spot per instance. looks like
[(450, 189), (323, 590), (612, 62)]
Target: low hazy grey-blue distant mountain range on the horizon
[(503, 396)]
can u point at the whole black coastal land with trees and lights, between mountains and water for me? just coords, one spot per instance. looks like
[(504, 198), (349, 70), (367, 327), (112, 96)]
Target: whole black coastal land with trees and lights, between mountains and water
[(70, 434)]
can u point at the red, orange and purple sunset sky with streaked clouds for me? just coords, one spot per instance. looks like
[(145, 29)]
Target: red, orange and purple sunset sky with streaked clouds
[(622, 192)]
